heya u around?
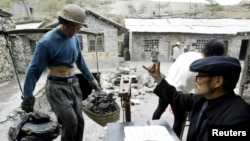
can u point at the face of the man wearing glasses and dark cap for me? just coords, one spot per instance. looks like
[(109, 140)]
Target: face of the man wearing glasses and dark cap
[(203, 84)]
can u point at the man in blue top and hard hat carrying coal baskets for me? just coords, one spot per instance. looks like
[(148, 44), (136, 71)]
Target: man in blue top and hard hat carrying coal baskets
[(58, 51)]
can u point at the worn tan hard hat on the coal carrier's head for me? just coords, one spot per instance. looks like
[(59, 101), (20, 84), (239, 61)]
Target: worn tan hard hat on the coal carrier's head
[(73, 13)]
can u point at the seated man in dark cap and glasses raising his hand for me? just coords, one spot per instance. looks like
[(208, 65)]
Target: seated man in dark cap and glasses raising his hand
[(214, 101)]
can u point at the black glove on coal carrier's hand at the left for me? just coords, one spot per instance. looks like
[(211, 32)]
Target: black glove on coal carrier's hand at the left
[(28, 104)]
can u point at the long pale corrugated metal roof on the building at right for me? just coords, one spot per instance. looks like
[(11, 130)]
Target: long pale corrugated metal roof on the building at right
[(180, 25)]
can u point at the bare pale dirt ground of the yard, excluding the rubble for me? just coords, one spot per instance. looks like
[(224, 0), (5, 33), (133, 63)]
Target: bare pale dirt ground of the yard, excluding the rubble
[(10, 106)]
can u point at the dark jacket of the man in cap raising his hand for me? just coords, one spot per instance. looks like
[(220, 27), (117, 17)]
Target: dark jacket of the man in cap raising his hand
[(229, 109)]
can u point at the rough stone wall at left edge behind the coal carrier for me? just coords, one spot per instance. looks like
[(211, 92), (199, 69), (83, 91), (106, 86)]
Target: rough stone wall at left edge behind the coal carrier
[(20, 46)]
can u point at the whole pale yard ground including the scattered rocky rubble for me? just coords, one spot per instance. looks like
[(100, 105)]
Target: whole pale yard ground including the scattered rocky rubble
[(142, 108)]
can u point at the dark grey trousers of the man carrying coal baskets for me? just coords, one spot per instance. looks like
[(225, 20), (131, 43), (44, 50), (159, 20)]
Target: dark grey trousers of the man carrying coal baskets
[(66, 101)]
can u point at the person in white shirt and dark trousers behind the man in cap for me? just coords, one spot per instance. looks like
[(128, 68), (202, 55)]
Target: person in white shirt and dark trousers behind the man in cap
[(180, 77)]
